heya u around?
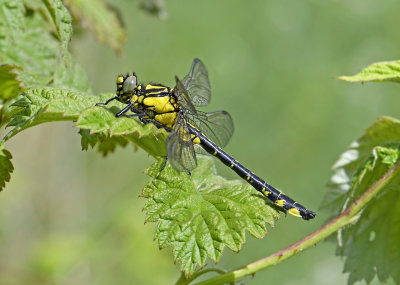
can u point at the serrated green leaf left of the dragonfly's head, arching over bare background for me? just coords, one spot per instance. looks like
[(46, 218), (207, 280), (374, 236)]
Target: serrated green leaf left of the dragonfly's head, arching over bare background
[(47, 105)]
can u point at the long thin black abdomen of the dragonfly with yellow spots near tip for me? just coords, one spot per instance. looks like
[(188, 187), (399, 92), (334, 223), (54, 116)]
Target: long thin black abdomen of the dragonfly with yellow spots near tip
[(277, 197)]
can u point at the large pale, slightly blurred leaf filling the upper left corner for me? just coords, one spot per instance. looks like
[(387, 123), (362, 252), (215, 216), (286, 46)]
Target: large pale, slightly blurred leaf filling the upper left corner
[(27, 41)]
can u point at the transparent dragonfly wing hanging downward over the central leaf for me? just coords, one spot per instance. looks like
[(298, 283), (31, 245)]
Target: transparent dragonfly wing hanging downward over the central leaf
[(180, 147)]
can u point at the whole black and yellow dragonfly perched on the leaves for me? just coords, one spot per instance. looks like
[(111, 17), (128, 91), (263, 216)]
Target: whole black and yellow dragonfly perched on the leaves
[(174, 110)]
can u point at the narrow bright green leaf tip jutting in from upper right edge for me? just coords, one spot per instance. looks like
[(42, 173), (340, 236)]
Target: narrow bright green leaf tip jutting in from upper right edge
[(379, 71)]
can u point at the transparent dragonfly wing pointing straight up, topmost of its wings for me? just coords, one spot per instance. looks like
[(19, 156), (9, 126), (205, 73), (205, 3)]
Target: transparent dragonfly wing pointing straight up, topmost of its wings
[(197, 84)]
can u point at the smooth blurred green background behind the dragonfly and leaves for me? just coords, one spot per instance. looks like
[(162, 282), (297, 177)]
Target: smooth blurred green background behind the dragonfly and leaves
[(73, 217)]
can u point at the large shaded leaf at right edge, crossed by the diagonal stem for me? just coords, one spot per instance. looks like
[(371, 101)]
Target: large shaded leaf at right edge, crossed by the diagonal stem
[(375, 234)]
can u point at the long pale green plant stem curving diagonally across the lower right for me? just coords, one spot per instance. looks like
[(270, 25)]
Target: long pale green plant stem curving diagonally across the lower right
[(347, 217)]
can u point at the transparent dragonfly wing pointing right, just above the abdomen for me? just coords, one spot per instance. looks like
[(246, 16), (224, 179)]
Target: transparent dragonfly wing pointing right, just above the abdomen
[(216, 126)]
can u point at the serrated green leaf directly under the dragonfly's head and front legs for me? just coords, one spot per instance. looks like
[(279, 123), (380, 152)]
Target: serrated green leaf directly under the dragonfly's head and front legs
[(110, 131)]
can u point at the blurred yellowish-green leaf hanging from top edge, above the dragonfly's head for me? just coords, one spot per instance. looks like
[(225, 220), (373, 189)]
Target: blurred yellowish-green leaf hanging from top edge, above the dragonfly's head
[(102, 21)]
